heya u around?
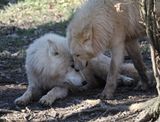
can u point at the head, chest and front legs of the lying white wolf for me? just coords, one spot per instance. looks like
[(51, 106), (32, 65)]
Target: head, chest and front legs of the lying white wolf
[(48, 68)]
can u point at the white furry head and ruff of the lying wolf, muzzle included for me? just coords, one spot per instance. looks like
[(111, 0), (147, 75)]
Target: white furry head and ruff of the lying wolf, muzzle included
[(49, 60)]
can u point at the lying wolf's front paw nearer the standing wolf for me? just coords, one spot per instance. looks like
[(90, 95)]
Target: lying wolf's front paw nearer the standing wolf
[(46, 101)]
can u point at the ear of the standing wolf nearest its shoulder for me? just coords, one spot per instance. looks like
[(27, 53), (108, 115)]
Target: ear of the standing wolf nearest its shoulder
[(87, 33)]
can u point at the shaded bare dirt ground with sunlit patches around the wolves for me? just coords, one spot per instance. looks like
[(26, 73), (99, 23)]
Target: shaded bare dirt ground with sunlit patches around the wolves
[(79, 107)]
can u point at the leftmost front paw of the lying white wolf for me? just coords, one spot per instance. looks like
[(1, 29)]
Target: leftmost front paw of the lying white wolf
[(22, 101)]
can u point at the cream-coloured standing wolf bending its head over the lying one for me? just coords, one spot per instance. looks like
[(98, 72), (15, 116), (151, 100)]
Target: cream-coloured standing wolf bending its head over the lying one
[(101, 24)]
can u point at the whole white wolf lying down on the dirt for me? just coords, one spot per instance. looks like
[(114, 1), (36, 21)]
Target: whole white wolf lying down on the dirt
[(49, 67)]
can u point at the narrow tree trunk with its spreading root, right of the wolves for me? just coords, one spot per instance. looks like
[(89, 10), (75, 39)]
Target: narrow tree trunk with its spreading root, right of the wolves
[(151, 109)]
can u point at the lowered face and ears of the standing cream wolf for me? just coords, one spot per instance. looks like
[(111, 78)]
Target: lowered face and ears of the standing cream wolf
[(81, 46)]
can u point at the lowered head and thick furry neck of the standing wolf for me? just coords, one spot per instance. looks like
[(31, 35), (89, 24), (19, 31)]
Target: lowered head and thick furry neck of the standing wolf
[(85, 33)]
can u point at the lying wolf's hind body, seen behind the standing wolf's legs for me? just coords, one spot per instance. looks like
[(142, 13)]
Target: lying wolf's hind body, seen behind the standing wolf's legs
[(99, 66)]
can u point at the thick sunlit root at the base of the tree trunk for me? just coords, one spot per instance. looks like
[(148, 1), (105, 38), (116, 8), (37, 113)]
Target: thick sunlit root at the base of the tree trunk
[(150, 110)]
